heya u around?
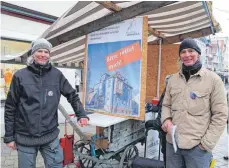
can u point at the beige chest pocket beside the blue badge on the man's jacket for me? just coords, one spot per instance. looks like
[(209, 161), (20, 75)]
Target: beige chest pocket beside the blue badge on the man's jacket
[(200, 104)]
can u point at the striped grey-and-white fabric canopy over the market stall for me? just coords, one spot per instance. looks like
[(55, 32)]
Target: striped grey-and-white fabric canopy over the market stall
[(170, 21)]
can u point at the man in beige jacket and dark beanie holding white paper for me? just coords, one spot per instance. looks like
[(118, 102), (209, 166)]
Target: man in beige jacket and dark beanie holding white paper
[(195, 102)]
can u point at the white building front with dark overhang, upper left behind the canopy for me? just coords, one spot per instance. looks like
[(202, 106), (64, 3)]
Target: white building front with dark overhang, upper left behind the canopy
[(20, 26)]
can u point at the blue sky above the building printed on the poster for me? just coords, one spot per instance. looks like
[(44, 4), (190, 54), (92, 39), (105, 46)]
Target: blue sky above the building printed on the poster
[(102, 50)]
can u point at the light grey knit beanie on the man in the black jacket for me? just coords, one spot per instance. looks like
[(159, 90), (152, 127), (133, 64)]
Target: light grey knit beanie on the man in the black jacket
[(40, 44)]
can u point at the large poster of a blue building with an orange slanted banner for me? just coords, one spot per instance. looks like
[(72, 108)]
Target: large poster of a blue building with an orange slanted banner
[(114, 62)]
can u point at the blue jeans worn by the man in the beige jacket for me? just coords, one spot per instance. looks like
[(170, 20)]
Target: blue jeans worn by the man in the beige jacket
[(187, 158)]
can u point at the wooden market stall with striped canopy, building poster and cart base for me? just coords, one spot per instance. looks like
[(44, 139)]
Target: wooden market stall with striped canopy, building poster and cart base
[(125, 51)]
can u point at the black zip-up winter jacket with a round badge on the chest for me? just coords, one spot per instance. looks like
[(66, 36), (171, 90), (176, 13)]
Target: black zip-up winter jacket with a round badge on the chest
[(32, 101)]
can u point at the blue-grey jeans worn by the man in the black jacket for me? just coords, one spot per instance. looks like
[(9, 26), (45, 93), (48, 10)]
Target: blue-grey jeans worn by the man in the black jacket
[(52, 154)]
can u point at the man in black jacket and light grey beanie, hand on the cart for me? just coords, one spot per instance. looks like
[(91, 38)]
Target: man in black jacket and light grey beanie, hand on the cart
[(31, 109)]
